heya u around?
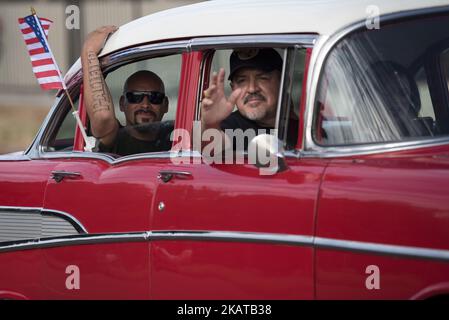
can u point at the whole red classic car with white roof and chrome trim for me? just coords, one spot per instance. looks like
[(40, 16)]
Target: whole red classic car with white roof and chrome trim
[(358, 208)]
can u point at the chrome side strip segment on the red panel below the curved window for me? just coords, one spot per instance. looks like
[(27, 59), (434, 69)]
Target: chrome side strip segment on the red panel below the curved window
[(382, 249)]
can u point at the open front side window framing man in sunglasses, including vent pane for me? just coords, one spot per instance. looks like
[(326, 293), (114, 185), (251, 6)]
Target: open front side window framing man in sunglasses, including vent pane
[(141, 118)]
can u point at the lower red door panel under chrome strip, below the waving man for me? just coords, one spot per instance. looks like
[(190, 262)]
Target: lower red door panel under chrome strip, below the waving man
[(220, 270)]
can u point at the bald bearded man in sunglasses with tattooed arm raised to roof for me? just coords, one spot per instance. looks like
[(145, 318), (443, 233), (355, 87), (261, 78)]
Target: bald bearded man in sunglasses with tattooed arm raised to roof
[(143, 102)]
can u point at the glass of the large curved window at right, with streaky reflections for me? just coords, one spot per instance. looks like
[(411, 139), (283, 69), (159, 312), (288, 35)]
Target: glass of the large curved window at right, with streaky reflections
[(379, 86)]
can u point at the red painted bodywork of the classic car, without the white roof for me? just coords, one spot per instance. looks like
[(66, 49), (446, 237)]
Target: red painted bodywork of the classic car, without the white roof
[(224, 231)]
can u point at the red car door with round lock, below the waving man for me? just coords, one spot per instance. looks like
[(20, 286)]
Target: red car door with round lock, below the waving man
[(224, 231)]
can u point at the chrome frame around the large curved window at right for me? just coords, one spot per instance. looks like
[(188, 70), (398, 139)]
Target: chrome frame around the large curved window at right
[(322, 48)]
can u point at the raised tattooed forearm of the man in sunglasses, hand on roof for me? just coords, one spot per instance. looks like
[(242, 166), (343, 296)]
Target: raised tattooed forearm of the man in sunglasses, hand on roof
[(97, 98)]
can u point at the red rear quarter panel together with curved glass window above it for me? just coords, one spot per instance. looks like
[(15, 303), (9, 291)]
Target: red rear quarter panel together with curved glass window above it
[(382, 217)]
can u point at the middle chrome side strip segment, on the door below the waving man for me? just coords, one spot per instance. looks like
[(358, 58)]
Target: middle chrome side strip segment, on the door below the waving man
[(232, 236)]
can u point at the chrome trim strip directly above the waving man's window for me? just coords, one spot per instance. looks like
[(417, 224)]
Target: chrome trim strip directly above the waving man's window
[(230, 42)]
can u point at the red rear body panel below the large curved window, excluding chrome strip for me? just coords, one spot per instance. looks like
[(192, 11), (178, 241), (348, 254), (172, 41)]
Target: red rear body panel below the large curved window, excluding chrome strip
[(407, 196)]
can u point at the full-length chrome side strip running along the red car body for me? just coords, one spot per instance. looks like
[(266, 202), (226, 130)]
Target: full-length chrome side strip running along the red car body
[(234, 236)]
